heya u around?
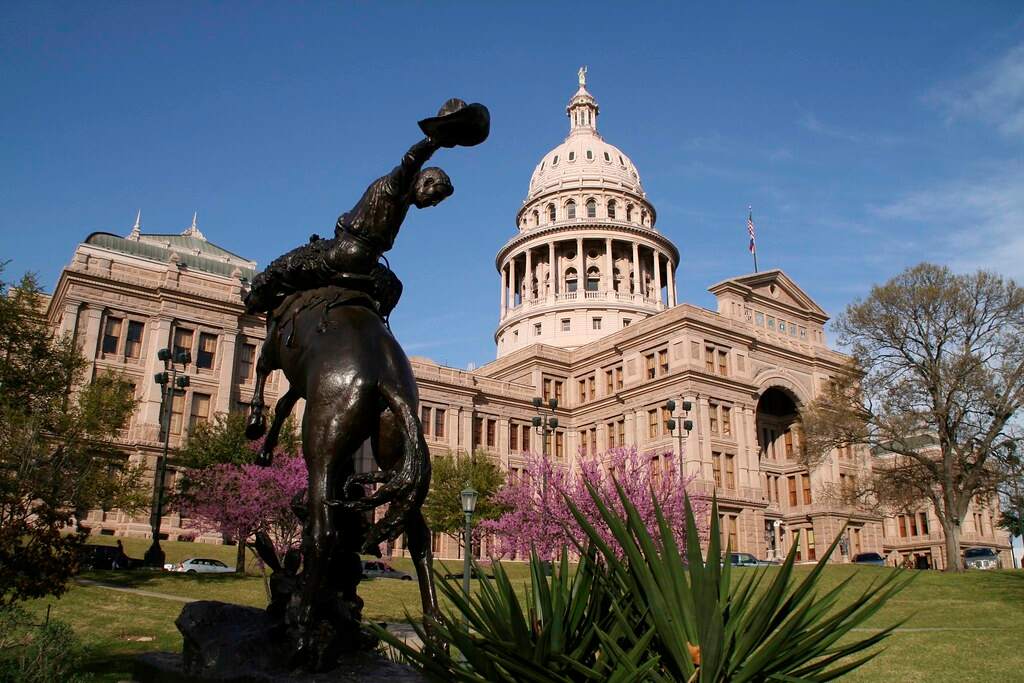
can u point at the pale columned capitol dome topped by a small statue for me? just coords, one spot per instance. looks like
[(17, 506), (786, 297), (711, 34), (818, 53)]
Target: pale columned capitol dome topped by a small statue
[(587, 260)]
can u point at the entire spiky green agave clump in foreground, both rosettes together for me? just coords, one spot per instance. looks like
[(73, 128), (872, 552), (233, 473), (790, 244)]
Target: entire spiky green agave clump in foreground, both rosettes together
[(651, 612)]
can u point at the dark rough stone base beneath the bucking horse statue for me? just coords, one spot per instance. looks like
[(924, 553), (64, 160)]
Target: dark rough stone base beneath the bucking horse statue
[(227, 644)]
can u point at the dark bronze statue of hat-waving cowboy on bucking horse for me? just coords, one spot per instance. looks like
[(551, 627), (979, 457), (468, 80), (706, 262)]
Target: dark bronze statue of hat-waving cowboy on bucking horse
[(327, 305)]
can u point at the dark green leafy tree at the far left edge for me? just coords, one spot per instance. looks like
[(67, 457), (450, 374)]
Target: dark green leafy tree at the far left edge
[(59, 457)]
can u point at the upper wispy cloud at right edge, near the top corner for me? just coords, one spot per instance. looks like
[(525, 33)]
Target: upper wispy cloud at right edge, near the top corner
[(994, 94)]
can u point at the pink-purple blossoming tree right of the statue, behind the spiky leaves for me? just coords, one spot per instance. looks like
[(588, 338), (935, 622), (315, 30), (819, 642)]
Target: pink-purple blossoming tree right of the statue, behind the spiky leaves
[(539, 518)]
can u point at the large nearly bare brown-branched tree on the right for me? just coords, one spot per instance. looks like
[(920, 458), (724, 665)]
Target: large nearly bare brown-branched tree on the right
[(936, 378)]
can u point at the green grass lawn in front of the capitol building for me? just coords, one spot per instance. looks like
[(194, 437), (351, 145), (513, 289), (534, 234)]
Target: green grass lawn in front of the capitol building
[(958, 628)]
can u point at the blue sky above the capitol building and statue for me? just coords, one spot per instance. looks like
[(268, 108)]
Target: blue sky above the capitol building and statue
[(868, 138)]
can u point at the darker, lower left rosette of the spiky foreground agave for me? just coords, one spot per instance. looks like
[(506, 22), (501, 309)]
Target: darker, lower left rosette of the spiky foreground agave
[(564, 631)]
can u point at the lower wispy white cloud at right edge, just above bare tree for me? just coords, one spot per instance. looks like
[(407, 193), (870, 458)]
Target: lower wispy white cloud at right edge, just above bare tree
[(974, 223)]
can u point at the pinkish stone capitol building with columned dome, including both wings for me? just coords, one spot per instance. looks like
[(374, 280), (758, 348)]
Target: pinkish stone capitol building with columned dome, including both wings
[(588, 315)]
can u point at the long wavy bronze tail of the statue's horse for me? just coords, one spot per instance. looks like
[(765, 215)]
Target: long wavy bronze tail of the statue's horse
[(408, 488)]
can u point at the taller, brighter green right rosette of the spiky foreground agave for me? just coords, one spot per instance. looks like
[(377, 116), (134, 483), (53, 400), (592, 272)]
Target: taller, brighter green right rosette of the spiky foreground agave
[(769, 627)]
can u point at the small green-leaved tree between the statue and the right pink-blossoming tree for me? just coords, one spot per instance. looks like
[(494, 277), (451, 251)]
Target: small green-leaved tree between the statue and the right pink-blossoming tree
[(449, 477)]
